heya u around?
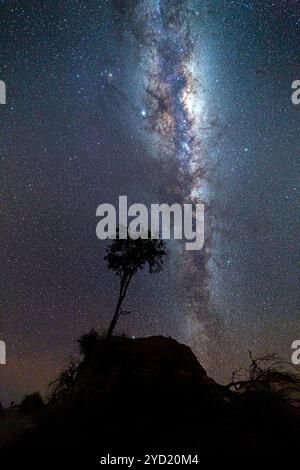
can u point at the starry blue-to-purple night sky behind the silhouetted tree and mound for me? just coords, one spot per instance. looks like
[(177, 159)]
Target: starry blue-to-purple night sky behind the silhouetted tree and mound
[(162, 101)]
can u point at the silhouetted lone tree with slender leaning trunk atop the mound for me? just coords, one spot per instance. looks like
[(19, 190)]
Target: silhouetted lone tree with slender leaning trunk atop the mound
[(125, 258)]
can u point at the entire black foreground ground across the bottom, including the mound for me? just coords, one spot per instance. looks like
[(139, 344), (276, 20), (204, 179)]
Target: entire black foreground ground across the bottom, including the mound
[(150, 396)]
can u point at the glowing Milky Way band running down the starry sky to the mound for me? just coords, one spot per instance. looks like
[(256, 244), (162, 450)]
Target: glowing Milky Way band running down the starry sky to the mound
[(174, 112)]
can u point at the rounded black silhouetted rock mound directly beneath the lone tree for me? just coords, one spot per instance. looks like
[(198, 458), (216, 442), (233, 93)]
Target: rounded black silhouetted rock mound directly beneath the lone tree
[(149, 391)]
